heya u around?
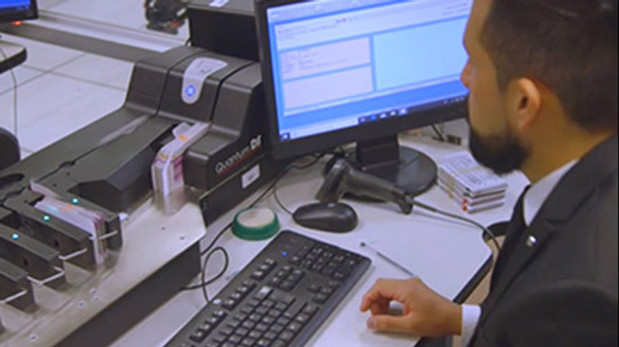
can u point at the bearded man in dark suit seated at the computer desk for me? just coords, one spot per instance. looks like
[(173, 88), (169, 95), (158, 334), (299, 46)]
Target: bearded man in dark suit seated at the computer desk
[(542, 76)]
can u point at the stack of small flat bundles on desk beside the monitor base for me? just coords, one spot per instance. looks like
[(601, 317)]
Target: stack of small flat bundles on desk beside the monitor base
[(472, 186)]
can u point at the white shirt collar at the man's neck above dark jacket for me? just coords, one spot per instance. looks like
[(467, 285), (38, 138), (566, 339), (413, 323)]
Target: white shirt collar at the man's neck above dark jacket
[(536, 195)]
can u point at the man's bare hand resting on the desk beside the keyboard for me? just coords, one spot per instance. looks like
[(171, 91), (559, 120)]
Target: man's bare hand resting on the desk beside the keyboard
[(425, 313)]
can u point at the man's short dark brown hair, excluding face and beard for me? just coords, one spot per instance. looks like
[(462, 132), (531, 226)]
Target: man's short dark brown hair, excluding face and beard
[(570, 46)]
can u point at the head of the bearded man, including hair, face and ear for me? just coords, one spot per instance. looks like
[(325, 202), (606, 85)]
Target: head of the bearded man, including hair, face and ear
[(534, 58)]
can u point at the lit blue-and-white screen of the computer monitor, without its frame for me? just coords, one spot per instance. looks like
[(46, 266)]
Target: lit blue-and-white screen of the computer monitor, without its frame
[(337, 64)]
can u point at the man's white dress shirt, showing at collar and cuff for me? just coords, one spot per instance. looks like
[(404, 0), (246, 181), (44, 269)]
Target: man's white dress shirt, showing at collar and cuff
[(533, 200)]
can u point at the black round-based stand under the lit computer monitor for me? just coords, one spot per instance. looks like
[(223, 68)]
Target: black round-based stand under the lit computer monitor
[(410, 170)]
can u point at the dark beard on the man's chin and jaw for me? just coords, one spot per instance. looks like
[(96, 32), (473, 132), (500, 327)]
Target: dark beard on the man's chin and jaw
[(500, 153)]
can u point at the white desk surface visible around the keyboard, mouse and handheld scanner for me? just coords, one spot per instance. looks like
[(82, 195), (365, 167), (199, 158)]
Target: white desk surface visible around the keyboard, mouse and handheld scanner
[(445, 254)]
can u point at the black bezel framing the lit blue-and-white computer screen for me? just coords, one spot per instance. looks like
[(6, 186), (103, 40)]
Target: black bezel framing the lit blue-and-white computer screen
[(333, 139)]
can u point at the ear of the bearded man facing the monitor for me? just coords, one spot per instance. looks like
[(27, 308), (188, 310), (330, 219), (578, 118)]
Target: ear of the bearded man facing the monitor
[(527, 102)]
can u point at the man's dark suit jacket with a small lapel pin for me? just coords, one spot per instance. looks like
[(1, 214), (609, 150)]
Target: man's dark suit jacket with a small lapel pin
[(561, 289)]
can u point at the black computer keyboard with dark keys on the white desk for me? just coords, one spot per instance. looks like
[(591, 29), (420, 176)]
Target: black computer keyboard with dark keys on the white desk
[(279, 299)]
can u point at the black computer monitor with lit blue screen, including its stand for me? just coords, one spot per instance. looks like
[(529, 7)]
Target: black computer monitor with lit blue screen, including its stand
[(343, 71)]
